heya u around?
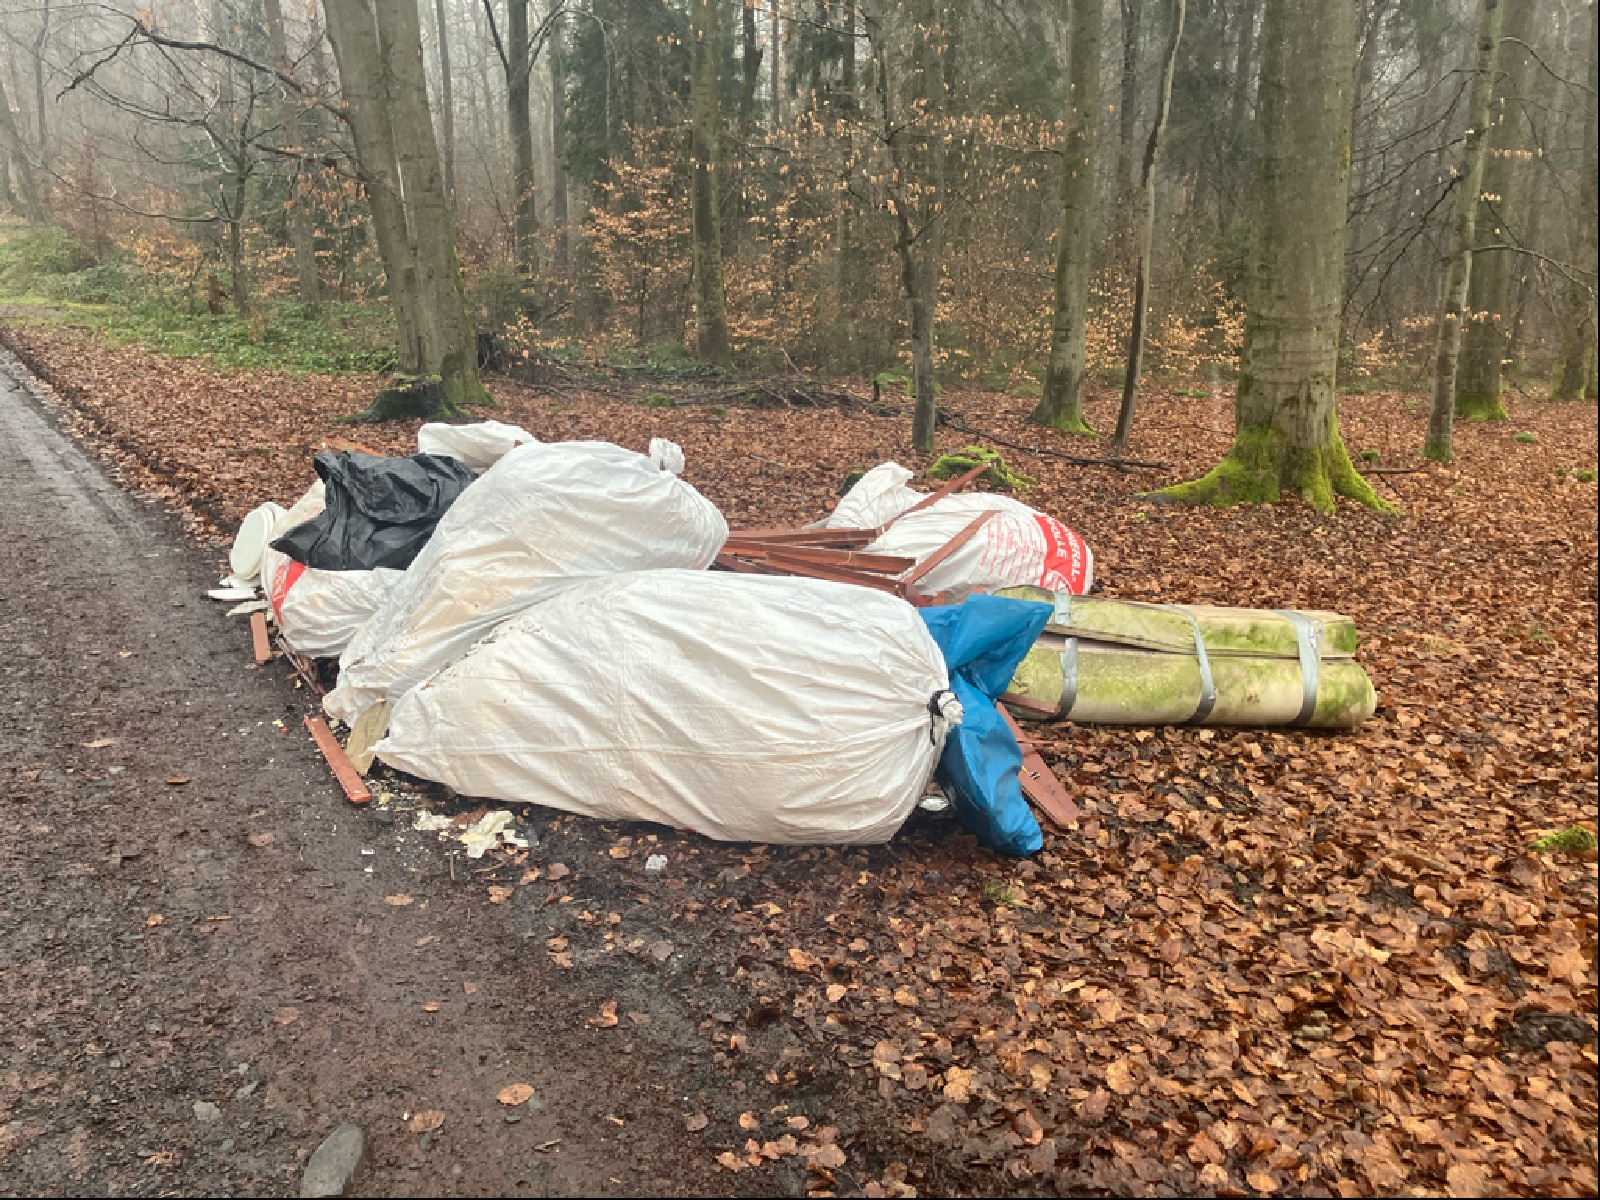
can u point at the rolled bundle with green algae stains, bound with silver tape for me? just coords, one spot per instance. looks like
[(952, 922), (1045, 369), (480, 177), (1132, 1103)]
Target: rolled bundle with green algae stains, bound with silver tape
[(1130, 663)]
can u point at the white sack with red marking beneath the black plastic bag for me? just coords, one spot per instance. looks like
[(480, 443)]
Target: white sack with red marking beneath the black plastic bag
[(319, 612)]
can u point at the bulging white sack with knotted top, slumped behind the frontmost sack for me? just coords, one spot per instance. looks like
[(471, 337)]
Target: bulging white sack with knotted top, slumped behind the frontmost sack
[(545, 516)]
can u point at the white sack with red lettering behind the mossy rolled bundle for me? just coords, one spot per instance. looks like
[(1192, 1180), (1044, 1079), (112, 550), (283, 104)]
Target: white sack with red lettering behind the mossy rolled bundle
[(1015, 548)]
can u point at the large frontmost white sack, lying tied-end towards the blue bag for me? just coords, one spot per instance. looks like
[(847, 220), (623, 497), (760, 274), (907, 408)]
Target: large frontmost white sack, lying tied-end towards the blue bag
[(745, 708)]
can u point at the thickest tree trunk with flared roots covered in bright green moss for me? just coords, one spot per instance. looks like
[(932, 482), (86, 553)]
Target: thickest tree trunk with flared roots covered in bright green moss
[(1287, 433)]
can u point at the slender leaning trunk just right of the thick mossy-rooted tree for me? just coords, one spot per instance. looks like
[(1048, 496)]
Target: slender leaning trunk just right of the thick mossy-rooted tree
[(1500, 222)]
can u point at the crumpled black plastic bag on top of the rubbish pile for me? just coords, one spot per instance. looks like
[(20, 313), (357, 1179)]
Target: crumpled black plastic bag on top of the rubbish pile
[(382, 511)]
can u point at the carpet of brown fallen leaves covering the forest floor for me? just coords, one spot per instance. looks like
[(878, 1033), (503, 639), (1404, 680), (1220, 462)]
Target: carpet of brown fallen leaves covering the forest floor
[(1266, 962)]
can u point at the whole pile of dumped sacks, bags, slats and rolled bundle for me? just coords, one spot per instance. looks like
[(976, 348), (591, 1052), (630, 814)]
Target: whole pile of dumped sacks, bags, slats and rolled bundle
[(572, 625)]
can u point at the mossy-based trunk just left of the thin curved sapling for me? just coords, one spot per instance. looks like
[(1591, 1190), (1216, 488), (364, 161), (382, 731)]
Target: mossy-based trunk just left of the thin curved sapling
[(1062, 406)]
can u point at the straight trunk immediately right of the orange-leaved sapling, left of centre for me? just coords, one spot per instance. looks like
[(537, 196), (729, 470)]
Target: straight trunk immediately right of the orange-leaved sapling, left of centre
[(711, 308)]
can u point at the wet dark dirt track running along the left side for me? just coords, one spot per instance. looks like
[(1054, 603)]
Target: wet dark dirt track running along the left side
[(199, 972)]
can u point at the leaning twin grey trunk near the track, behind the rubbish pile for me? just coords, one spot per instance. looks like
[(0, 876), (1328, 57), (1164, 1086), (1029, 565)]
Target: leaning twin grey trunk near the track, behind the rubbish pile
[(378, 49)]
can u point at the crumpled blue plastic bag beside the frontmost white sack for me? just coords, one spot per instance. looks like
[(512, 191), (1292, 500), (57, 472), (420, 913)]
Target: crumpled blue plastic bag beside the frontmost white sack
[(983, 642)]
